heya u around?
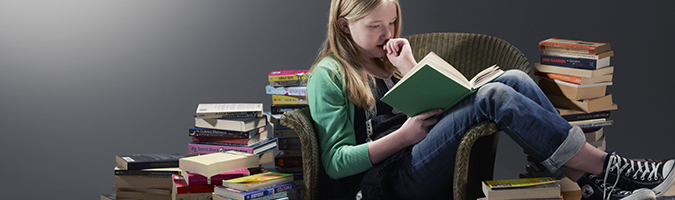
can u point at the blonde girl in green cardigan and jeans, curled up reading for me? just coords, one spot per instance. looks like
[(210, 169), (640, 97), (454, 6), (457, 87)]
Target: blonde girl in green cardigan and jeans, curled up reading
[(397, 156)]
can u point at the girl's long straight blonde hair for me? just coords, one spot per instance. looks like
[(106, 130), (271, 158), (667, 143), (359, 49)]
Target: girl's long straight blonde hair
[(356, 80)]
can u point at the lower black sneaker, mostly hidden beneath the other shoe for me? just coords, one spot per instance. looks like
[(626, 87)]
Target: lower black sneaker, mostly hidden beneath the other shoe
[(594, 188)]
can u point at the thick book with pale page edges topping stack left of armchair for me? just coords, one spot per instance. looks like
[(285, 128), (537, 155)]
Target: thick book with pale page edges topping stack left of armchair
[(229, 110)]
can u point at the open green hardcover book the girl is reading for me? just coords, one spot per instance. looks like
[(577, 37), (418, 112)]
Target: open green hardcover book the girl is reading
[(432, 84)]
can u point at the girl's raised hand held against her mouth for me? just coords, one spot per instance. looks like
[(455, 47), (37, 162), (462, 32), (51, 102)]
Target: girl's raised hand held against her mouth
[(400, 54)]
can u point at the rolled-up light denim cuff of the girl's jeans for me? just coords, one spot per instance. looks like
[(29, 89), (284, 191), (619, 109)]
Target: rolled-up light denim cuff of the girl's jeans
[(574, 141)]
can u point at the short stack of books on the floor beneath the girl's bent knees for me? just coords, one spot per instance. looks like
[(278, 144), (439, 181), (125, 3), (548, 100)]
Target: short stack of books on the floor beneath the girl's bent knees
[(524, 188)]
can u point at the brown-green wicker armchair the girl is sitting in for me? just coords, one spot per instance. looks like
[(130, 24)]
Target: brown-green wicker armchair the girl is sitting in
[(469, 53)]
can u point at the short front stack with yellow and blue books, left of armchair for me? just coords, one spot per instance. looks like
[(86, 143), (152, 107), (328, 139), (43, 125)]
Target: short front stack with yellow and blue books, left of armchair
[(267, 185)]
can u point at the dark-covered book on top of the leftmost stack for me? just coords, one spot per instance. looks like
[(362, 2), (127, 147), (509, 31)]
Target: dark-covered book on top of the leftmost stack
[(146, 161)]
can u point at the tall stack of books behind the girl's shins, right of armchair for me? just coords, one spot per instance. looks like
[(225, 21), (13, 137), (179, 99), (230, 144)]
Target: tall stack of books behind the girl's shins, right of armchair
[(575, 74)]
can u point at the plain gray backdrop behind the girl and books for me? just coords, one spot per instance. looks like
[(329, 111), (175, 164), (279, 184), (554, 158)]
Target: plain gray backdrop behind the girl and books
[(81, 81)]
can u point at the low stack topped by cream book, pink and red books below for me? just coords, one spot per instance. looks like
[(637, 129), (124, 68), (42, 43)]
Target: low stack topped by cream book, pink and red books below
[(202, 173)]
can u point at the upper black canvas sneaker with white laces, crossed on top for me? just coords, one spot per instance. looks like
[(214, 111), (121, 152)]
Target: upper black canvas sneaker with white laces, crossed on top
[(658, 176)]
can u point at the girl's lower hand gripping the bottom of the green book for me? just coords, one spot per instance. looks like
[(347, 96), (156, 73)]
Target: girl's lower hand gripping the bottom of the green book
[(416, 128)]
